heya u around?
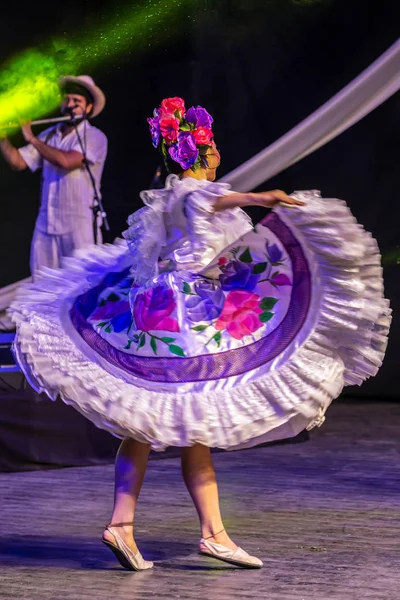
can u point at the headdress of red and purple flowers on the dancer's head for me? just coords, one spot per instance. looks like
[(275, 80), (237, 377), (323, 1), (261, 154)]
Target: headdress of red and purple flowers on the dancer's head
[(182, 135)]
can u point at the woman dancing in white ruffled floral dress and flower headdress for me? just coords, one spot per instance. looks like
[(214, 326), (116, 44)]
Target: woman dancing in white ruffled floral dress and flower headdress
[(205, 331)]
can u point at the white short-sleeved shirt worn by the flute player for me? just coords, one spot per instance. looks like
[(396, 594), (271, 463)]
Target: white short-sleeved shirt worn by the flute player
[(67, 195)]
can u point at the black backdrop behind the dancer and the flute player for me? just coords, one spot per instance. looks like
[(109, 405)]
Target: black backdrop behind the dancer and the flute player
[(260, 67)]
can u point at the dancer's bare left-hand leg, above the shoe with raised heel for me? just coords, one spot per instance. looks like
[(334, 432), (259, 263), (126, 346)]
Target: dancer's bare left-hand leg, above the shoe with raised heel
[(130, 468)]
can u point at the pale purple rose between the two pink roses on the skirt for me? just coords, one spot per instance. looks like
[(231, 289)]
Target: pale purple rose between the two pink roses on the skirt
[(208, 303)]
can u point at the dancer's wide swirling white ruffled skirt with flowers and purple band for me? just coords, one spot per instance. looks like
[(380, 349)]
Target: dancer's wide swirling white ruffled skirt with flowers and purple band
[(253, 349)]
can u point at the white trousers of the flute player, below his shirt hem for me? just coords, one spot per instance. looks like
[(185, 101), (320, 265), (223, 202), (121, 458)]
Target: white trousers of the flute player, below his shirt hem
[(48, 250)]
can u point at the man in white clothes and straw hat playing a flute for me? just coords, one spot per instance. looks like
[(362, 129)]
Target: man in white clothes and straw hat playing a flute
[(65, 221)]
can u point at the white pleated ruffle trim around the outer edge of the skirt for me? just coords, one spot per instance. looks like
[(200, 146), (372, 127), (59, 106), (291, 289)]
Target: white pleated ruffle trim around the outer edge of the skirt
[(347, 345)]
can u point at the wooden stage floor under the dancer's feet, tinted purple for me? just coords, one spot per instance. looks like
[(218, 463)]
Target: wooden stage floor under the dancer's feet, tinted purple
[(324, 516)]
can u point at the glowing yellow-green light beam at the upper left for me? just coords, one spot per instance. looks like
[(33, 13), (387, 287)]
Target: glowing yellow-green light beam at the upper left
[(29, 83)]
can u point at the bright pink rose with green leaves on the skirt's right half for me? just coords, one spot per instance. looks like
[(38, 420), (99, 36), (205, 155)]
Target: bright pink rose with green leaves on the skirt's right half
[(240, 315)]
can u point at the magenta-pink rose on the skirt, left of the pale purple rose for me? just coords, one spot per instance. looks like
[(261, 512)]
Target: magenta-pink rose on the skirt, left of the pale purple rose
[(152, 310)]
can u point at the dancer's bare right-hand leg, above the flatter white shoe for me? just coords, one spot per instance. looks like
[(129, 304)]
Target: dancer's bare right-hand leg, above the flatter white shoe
[(199, 476)]
